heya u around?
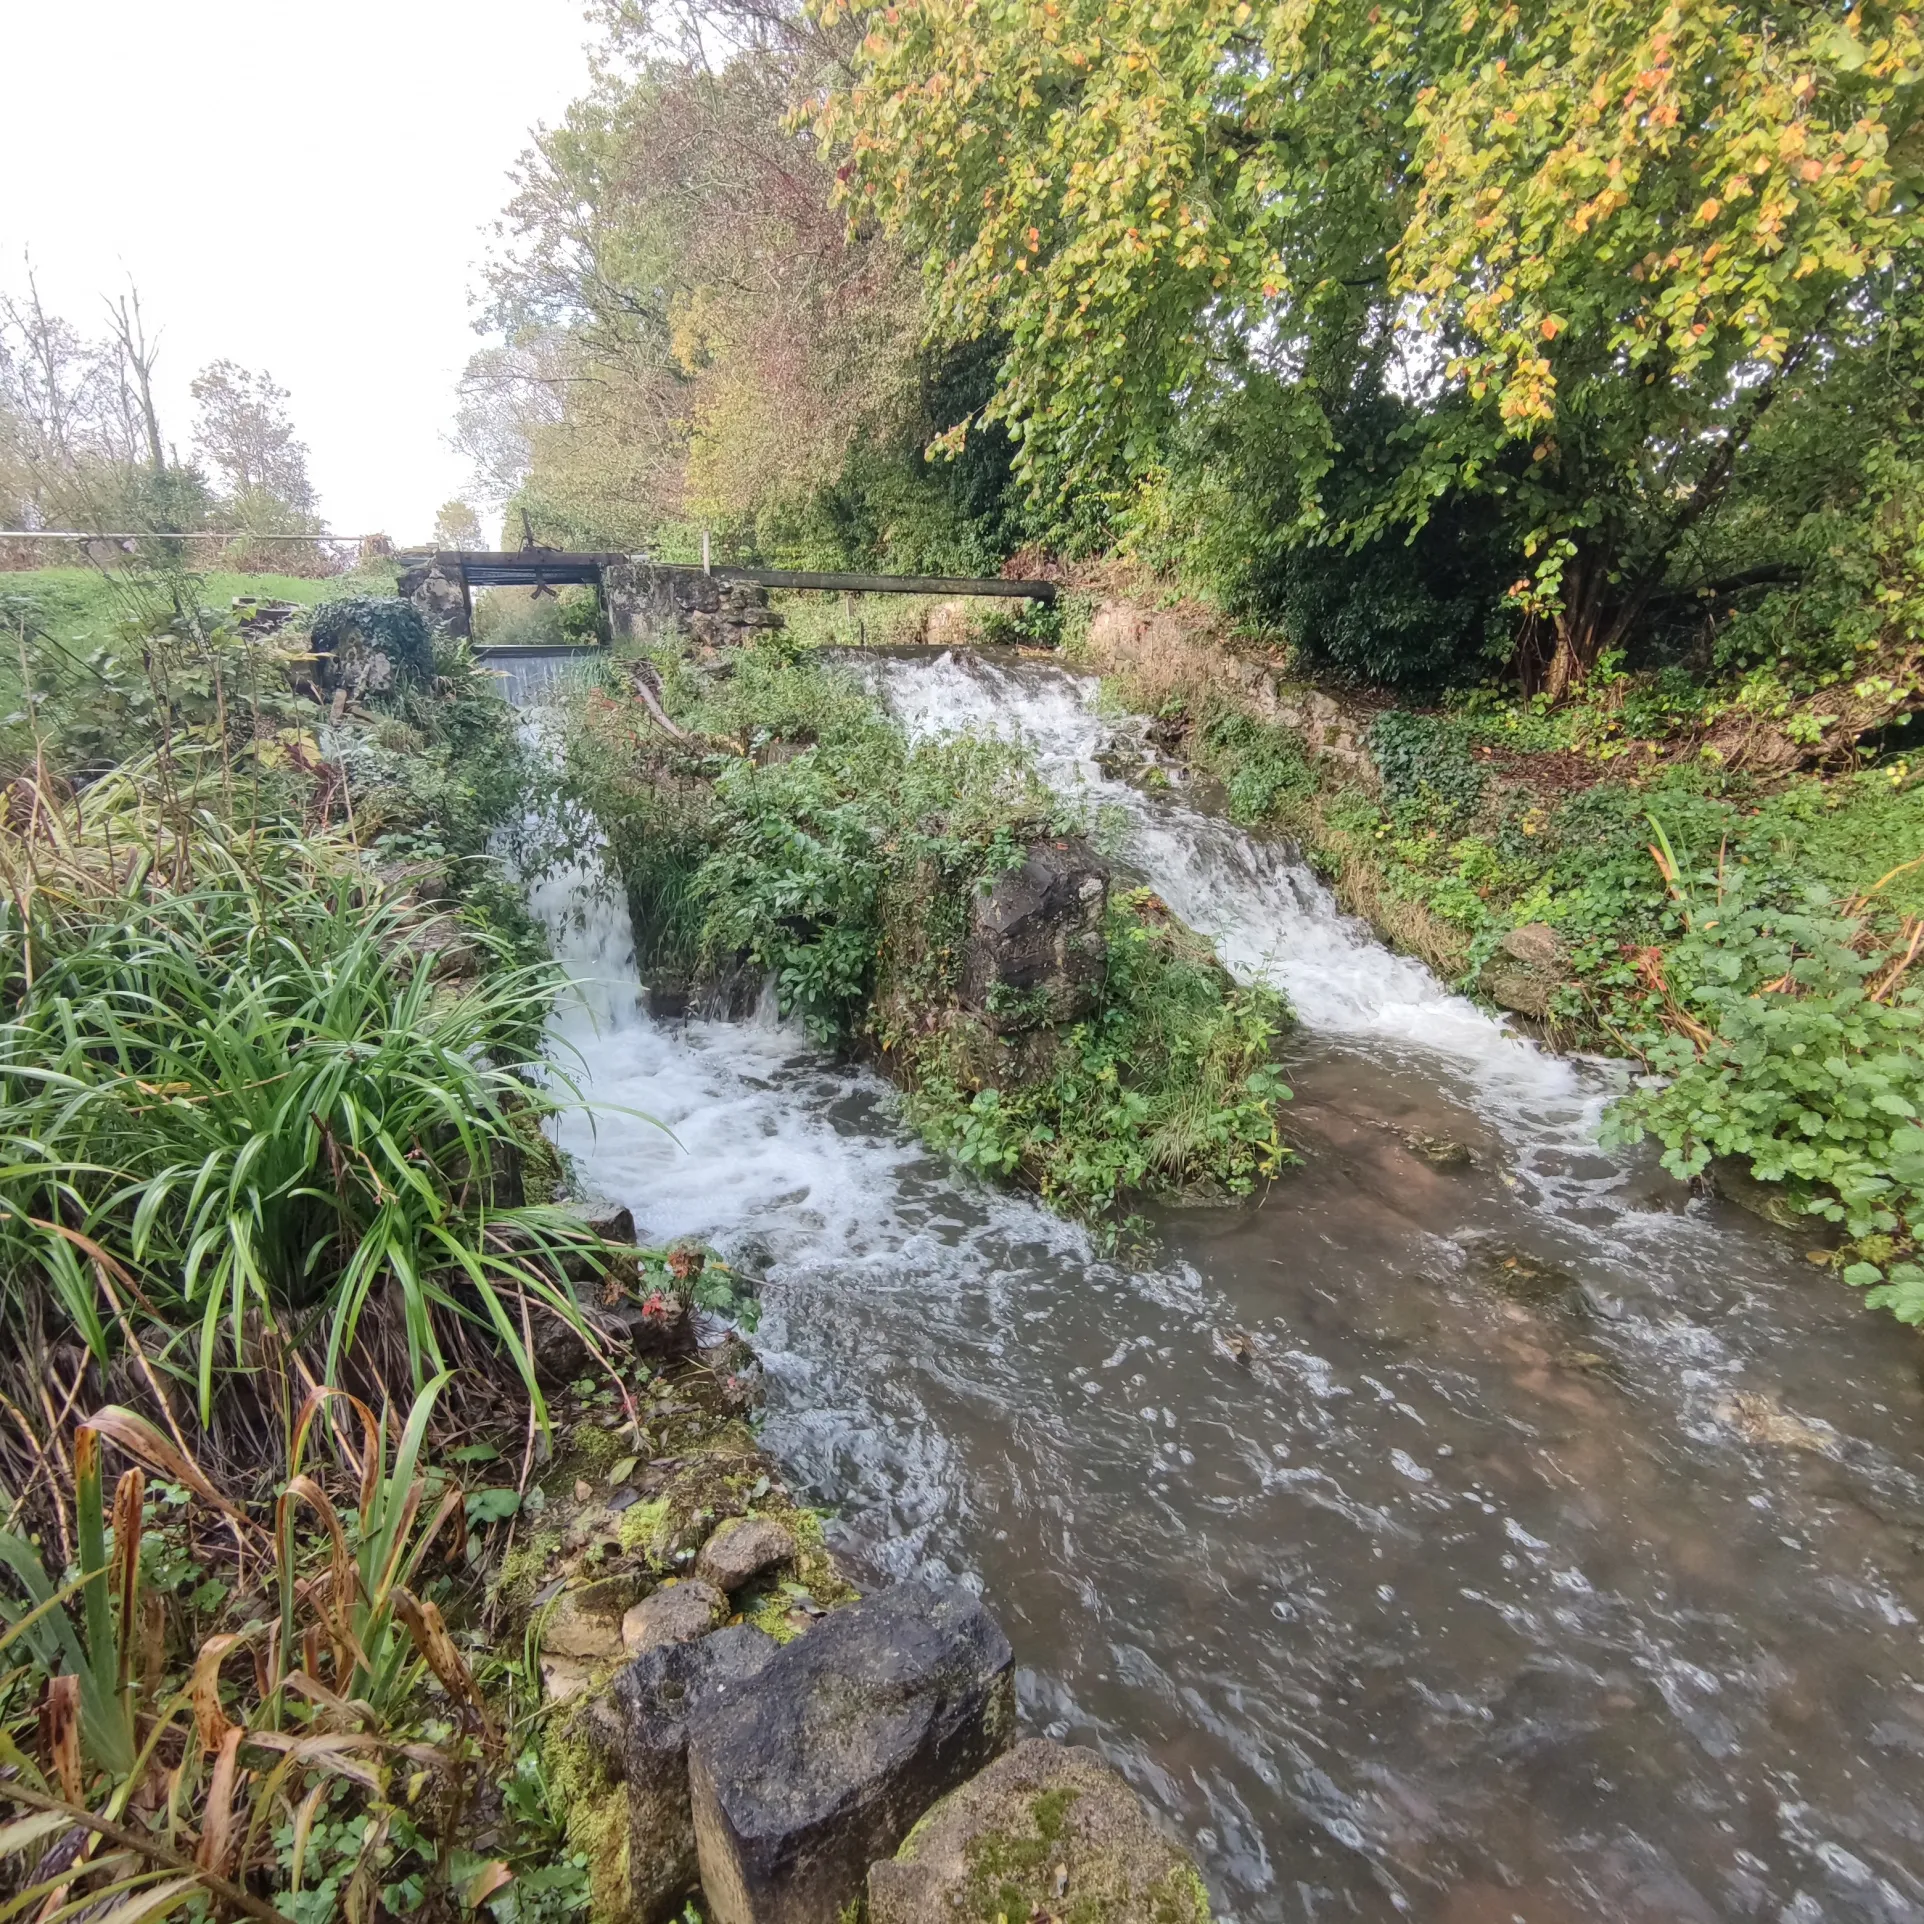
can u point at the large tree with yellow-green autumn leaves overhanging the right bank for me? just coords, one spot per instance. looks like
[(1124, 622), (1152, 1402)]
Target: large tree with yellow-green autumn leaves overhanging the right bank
[(1586, 249)]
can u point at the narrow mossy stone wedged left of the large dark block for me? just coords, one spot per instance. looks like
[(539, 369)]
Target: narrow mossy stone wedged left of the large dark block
[(653, 1702)]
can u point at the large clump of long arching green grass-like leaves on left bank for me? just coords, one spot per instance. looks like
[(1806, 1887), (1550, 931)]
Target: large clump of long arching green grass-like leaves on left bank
[(259, 1101)]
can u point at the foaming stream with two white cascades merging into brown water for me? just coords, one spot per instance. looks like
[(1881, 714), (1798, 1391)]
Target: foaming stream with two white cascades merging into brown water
[(1475, 1529)]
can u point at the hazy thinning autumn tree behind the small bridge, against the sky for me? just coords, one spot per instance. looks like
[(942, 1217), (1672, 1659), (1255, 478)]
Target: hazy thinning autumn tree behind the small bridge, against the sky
[(688, 326)]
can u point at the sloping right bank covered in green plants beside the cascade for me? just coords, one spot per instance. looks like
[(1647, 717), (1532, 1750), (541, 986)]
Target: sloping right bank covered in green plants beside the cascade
[(1696, 884)]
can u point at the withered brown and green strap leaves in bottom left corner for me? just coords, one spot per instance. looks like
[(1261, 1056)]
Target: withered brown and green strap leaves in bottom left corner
[(357, 1677)]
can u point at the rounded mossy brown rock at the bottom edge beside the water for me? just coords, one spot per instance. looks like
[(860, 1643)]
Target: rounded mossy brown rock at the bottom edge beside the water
[(1044, 1833)]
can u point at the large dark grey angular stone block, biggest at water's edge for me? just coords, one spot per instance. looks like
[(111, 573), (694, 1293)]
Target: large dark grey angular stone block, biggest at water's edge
[(846, 1740)]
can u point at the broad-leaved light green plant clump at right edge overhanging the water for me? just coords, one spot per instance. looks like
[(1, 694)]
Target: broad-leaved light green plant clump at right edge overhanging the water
[(1796, 1044)]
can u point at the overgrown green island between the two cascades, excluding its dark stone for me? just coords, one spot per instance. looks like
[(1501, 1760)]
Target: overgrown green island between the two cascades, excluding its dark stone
[(794, 832)]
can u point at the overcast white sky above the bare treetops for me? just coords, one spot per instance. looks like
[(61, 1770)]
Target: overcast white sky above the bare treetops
[(299, 188)]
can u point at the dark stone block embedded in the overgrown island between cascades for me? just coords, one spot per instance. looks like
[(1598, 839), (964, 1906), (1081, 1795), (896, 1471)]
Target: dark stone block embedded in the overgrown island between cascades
[(1036, 951)]
